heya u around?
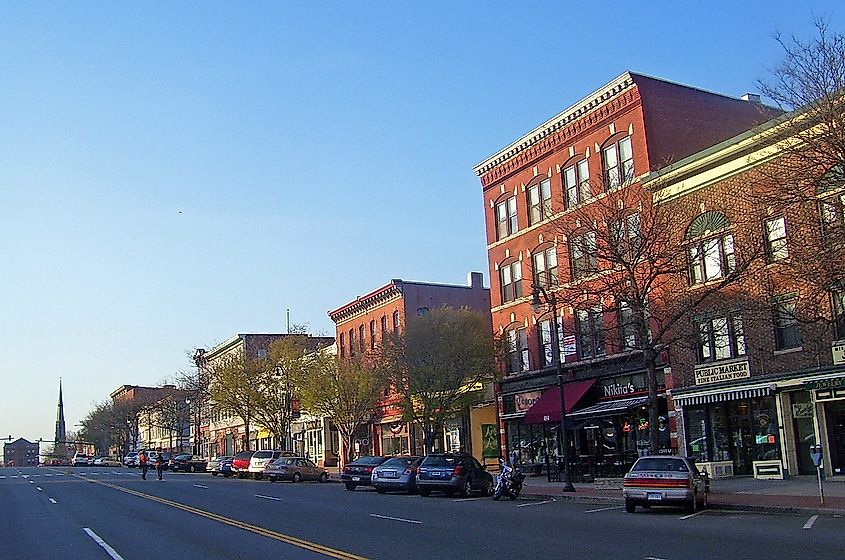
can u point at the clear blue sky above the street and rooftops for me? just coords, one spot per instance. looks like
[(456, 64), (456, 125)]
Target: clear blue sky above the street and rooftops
[(170, 176)]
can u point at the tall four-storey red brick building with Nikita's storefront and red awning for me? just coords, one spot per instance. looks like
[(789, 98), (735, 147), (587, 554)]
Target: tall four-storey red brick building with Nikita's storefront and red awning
[(607, 140)]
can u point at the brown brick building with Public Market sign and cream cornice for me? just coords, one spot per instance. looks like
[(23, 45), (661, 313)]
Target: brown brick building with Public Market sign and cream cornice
[(764, 379)]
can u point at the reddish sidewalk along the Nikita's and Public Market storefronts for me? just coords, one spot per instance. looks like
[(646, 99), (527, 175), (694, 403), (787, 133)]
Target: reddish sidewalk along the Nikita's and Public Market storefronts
[(799, 494)]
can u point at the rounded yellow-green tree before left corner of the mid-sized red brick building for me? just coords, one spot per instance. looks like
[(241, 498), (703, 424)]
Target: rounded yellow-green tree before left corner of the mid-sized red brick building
[(342, 390)]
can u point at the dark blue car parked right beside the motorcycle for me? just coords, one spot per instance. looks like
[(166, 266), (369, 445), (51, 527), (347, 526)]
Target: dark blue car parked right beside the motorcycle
[(453, 472)]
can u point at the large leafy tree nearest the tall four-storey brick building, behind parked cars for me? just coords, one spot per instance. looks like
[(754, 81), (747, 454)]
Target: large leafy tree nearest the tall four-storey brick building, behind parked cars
[(439, 365)]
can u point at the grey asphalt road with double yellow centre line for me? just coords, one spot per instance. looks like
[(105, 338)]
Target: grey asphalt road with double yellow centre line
[(93, 513)]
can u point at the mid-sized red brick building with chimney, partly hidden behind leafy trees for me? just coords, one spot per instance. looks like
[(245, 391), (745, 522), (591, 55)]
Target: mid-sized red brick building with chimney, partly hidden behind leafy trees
[(362, 324)]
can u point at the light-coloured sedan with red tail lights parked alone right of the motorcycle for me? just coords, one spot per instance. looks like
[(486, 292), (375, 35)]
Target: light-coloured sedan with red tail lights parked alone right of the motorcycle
[(665, 480)]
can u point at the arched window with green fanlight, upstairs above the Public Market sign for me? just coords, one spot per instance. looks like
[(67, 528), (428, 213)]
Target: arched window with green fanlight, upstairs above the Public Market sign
[(711, 248)]
